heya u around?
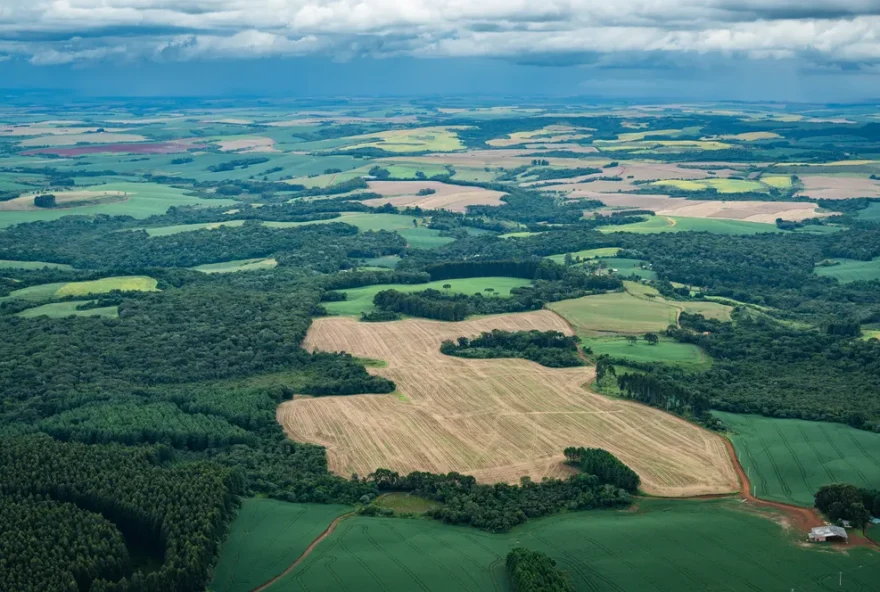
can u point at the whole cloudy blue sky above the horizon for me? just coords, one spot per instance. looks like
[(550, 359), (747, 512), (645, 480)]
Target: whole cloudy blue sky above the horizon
[(785, 50)]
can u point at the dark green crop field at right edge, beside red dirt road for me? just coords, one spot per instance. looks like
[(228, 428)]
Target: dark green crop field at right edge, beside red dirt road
[(789, 459)]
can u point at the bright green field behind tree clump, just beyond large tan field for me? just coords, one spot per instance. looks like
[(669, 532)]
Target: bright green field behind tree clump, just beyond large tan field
[(361, 299)]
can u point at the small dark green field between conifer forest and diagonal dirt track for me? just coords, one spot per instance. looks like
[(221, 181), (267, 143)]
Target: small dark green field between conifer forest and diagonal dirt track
[(265, 538)]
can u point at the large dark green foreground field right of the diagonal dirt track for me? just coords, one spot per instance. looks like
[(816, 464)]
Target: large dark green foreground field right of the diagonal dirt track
[(679, 546)]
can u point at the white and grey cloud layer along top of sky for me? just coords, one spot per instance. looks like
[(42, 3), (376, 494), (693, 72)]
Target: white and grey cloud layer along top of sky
[(547, 32)]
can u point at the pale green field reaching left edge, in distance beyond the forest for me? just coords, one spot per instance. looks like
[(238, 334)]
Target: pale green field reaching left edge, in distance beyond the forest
[(144, 200)]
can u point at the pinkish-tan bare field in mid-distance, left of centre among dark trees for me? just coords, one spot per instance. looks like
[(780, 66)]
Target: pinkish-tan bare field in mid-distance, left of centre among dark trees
[(447, 197)]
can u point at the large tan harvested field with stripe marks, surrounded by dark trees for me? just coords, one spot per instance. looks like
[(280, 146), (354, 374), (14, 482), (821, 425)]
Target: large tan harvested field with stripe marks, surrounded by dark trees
[(497, 420)]
